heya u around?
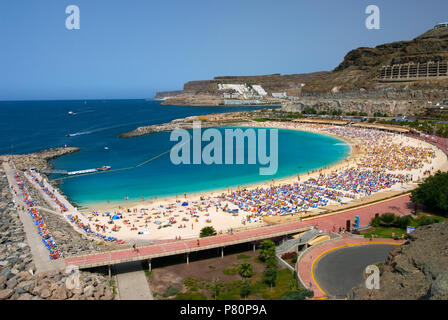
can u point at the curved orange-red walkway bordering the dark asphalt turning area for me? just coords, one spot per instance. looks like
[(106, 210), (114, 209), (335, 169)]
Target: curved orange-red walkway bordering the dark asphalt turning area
[(307, 261)]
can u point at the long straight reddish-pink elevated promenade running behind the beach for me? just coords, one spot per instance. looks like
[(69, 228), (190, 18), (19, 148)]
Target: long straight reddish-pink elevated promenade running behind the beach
[(400, 206)]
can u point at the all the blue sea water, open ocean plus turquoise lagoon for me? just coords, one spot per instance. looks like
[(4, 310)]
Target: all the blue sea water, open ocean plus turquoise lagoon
[(40, 125)]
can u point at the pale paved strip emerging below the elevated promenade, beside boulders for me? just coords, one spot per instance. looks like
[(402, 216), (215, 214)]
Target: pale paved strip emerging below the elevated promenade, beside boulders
[(132, 283)]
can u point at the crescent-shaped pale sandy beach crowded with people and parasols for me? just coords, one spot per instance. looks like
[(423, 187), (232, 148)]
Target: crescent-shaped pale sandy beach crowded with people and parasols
[(171, 218)]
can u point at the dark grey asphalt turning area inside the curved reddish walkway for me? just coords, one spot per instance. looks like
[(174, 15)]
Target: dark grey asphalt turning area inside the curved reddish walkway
[(339, 271)]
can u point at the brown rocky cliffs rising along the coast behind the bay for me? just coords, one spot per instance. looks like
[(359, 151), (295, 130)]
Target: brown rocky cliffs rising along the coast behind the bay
[(351, 86)]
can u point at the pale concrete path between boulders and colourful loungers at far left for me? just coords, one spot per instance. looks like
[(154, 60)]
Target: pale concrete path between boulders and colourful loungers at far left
[(41, 256)]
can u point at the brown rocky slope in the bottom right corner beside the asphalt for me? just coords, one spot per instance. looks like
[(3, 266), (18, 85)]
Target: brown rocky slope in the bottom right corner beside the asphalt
[(416, 270)]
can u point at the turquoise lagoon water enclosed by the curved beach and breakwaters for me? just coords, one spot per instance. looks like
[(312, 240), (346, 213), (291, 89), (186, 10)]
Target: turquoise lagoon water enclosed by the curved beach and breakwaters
[(298, 152)]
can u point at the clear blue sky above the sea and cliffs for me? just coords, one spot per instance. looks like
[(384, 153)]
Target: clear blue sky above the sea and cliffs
[(131, 49)]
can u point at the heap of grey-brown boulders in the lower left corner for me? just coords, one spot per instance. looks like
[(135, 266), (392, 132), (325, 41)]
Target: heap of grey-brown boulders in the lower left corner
[(18, 280)]
